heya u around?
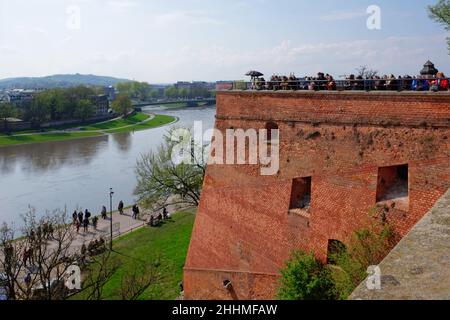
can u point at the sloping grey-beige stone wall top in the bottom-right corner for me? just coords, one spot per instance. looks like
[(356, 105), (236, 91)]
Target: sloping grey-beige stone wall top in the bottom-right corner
[(418, 268)]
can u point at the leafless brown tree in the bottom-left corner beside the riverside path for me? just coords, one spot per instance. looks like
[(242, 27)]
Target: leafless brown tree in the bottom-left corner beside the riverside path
[(35, 265)]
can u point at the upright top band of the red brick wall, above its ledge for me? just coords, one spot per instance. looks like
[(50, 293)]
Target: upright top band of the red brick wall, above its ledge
[(347, 108)]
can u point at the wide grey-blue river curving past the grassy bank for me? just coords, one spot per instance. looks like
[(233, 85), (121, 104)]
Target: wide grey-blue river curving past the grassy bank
[(77, 174)]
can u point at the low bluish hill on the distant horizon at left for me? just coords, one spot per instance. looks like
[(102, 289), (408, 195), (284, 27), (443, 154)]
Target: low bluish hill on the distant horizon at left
[(58, 81)]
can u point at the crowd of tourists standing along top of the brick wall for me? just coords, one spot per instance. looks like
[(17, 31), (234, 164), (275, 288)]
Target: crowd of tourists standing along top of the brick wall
[(323, 81)]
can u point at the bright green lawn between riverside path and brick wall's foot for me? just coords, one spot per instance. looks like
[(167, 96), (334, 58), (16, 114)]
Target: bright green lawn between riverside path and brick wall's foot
[(166, 244)]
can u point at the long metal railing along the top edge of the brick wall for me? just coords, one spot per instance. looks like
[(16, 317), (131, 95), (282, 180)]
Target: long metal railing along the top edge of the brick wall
[(405, 84)]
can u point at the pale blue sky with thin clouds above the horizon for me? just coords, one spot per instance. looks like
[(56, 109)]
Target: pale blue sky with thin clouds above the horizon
[(163, 41)]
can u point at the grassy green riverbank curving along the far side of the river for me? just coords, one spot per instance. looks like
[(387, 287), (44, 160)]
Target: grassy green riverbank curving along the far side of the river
[(136, 122)]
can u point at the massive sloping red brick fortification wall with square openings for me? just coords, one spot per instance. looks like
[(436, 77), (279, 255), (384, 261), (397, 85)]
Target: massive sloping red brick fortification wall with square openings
[(245, 230)]
